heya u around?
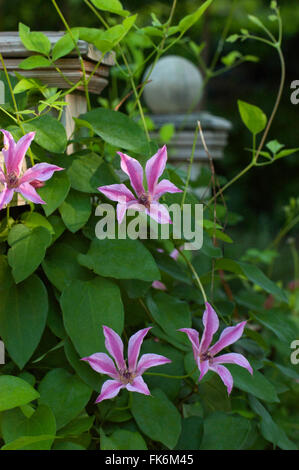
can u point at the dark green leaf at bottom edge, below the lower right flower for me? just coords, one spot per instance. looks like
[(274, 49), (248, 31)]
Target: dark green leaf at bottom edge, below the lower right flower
[(225, 432)]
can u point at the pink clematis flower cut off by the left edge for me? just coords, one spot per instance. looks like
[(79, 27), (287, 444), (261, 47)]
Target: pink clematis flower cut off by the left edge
[(12, 179)]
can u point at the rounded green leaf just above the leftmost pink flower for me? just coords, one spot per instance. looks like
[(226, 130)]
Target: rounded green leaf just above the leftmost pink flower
[(50, 133)]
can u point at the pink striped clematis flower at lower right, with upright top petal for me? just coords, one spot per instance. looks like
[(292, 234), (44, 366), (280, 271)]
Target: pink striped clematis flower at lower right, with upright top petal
[(204, 353)]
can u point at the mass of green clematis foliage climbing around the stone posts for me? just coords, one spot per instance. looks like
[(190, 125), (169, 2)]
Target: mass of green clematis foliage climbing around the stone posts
[(59, 283)]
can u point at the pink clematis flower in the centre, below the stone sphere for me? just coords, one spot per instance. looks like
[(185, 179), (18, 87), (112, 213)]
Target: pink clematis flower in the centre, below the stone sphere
[(145, 200)]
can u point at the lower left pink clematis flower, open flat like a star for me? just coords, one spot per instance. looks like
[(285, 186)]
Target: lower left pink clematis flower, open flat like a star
[(129, 377)]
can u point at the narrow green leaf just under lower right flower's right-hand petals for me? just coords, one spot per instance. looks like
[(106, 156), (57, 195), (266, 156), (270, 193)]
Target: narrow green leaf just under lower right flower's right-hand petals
[(255, 384)]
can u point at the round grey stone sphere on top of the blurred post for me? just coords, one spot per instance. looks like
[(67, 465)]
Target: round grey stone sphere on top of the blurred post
[(176, 86)]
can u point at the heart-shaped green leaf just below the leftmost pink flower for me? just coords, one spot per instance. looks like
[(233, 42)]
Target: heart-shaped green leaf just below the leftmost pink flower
[(28, 248)]
